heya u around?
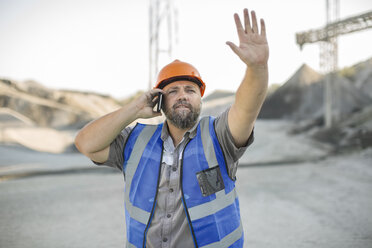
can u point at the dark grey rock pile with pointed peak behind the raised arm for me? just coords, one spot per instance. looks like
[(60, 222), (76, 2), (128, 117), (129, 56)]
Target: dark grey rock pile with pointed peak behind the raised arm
[(301, 99)]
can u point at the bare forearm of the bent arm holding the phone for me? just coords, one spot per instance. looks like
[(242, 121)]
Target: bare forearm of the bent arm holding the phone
[(98, 134)]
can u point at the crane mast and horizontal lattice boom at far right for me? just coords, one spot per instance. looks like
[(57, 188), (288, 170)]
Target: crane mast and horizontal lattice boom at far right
[(327, 37)]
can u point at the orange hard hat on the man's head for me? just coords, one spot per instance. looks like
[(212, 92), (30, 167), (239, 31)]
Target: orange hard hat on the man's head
[(177, 71)]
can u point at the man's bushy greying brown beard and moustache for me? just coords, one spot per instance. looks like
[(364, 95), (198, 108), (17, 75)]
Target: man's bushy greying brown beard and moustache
[(183, 119)]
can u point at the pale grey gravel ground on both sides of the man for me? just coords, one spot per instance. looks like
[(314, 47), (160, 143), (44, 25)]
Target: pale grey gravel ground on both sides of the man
[(323, 204)]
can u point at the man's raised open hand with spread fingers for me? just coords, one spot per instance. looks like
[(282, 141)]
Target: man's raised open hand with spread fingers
[(253, 49)]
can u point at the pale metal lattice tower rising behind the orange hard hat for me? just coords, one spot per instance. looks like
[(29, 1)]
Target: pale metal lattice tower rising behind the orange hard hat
[(162, 33)]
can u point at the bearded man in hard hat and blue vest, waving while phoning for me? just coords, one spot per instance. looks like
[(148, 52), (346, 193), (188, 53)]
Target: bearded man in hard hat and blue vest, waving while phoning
[(180, 175)]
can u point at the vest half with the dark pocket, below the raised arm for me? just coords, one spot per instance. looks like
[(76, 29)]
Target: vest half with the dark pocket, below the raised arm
[(215, 218)]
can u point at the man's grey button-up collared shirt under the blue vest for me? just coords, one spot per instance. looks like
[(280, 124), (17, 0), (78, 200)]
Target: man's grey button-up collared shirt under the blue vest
[(169, 226)]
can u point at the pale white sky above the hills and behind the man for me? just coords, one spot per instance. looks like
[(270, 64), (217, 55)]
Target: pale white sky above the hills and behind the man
[(102, 46)]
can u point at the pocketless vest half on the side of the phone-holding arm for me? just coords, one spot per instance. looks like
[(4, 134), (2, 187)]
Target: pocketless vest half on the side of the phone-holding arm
[(142, 158)]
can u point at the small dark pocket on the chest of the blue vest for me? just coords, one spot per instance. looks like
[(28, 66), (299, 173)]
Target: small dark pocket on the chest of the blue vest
[(210, 180)]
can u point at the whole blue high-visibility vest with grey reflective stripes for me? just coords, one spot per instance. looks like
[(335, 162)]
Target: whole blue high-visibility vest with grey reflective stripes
[(208, 193)]
